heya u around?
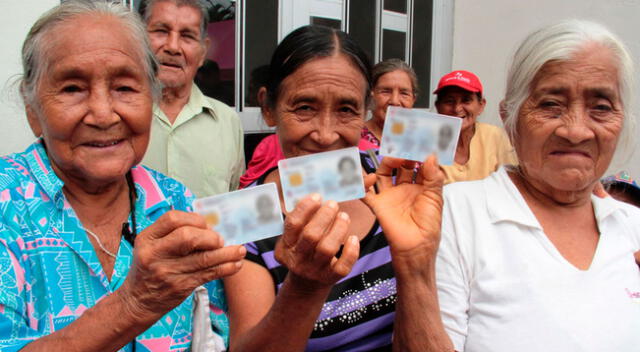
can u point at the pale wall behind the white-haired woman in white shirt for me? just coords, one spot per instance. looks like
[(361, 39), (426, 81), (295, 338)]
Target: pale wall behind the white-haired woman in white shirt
[(486, 33)]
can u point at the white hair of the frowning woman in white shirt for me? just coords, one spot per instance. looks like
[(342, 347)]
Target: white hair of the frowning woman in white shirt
[(559, 42)]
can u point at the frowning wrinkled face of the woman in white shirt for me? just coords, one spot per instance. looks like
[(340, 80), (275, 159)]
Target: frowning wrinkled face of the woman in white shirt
[(569, 126)]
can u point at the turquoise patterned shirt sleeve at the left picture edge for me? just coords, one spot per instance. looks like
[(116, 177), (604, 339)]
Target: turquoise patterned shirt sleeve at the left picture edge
[(15, 330)]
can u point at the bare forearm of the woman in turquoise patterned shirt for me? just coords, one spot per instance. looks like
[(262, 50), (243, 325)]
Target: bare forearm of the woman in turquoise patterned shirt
[(107, 326)]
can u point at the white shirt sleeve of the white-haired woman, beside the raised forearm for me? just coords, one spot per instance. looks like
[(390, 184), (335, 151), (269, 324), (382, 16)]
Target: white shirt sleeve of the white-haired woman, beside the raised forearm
[(452, 283)]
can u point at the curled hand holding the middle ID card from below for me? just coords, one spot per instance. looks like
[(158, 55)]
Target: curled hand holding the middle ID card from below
[(313, 234)]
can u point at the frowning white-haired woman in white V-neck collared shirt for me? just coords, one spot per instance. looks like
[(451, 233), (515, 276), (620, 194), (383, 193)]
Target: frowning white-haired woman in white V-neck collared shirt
[(530, 259)]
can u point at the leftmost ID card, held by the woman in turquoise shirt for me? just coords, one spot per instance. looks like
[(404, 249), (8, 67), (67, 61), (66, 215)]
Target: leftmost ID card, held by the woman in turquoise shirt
[(243, 216)]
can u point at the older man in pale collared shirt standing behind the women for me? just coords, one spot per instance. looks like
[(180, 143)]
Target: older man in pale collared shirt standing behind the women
[(194, 139)]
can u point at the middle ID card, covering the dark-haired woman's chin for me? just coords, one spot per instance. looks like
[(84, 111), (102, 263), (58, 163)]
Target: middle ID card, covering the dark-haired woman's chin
[(335, 175)]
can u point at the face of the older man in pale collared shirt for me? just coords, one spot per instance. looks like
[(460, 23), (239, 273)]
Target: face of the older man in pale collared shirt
[(174, 33)]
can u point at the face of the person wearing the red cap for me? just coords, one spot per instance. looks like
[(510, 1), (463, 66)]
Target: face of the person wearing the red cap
[(458, 102)]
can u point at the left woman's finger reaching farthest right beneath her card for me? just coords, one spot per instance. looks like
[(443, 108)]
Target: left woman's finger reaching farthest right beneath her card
[(204, 260)]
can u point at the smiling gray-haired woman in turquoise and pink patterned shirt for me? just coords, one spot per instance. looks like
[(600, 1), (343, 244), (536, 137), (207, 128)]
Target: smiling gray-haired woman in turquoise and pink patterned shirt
[(73, 204)]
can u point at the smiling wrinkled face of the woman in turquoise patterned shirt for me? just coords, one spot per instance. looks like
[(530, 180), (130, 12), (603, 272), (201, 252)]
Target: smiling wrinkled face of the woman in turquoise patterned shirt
[(94, 108)]
